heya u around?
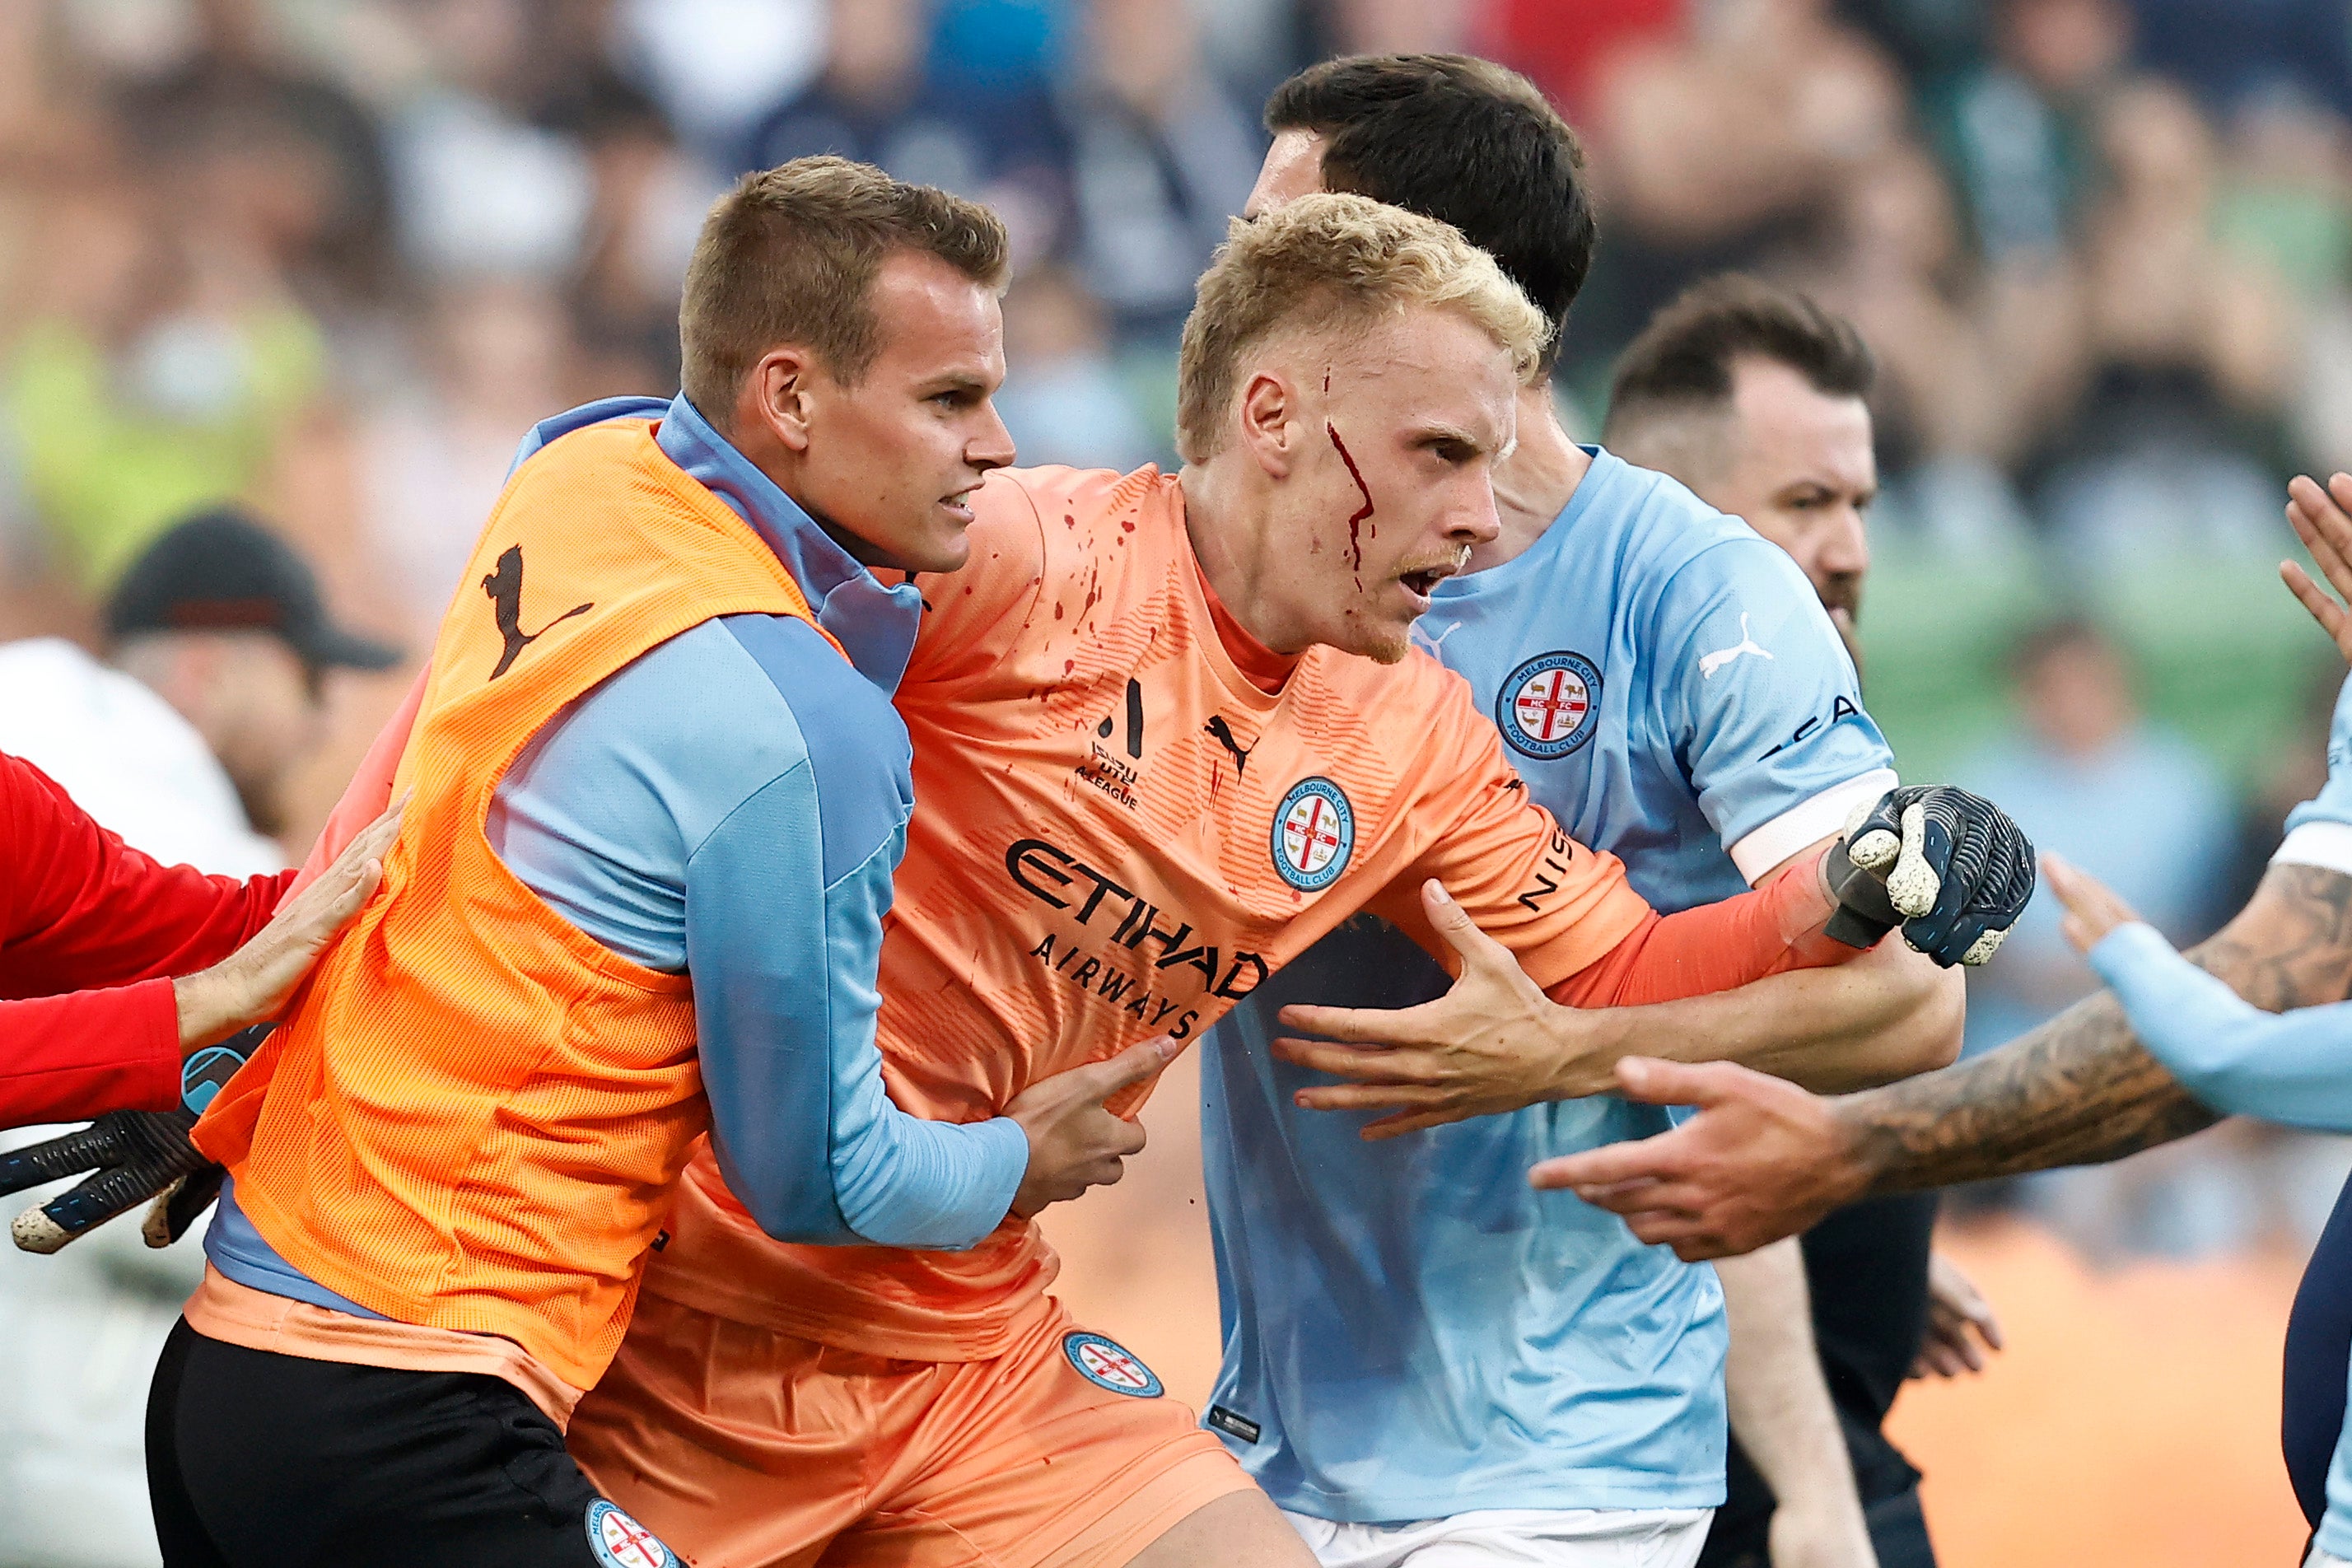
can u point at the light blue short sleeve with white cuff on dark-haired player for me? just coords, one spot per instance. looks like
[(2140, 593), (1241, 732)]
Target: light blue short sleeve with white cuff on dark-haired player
[(1765, 704)]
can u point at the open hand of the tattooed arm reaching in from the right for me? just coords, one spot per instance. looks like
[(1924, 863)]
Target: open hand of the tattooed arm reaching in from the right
[(1760, 1160)]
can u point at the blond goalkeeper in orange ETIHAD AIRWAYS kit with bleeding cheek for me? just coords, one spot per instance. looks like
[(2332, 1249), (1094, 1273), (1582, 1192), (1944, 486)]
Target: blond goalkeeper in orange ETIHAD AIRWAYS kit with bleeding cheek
[(1168, 732)]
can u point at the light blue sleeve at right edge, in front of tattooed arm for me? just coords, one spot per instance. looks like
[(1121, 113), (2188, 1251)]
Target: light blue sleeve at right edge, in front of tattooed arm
[(2290, 1068)]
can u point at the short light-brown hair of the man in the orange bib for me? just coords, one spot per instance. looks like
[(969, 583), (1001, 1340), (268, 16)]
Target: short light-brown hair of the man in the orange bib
[(791, 255)]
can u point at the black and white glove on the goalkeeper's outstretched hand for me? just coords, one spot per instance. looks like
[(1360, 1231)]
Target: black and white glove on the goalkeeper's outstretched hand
[(1946, 866)]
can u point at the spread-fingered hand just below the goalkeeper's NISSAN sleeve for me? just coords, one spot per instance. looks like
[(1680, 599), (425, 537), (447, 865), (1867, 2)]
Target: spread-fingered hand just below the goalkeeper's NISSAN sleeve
[(1490, 1045)]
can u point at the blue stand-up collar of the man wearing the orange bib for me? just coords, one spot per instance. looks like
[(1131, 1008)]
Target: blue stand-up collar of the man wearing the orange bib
[(874, 624)]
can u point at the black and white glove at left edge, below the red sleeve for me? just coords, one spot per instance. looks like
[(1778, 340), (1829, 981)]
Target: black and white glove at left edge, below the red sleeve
[(131, 1155)]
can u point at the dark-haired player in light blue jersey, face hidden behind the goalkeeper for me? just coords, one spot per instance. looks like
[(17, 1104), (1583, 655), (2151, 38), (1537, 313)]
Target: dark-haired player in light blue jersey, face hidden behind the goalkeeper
[(1419, 1358)]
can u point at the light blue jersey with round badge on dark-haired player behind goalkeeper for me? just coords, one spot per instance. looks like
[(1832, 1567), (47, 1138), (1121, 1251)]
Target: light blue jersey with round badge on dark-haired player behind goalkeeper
[(1410, 1329)]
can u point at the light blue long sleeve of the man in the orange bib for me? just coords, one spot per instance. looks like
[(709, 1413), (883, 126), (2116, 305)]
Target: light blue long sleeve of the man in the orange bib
[(735, 805)]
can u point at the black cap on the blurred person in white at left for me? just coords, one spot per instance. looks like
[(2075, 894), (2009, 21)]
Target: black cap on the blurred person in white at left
[(222, 572)]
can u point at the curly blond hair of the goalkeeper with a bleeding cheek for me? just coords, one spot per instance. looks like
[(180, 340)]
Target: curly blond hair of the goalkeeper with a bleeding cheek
[(1332, 260)]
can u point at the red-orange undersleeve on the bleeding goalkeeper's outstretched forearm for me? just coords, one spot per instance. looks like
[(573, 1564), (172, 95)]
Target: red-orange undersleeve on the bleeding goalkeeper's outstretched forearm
[(1711, 949)]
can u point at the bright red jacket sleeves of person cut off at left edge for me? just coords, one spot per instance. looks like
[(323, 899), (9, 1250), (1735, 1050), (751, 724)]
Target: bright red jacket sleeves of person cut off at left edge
[(83, 911)]
